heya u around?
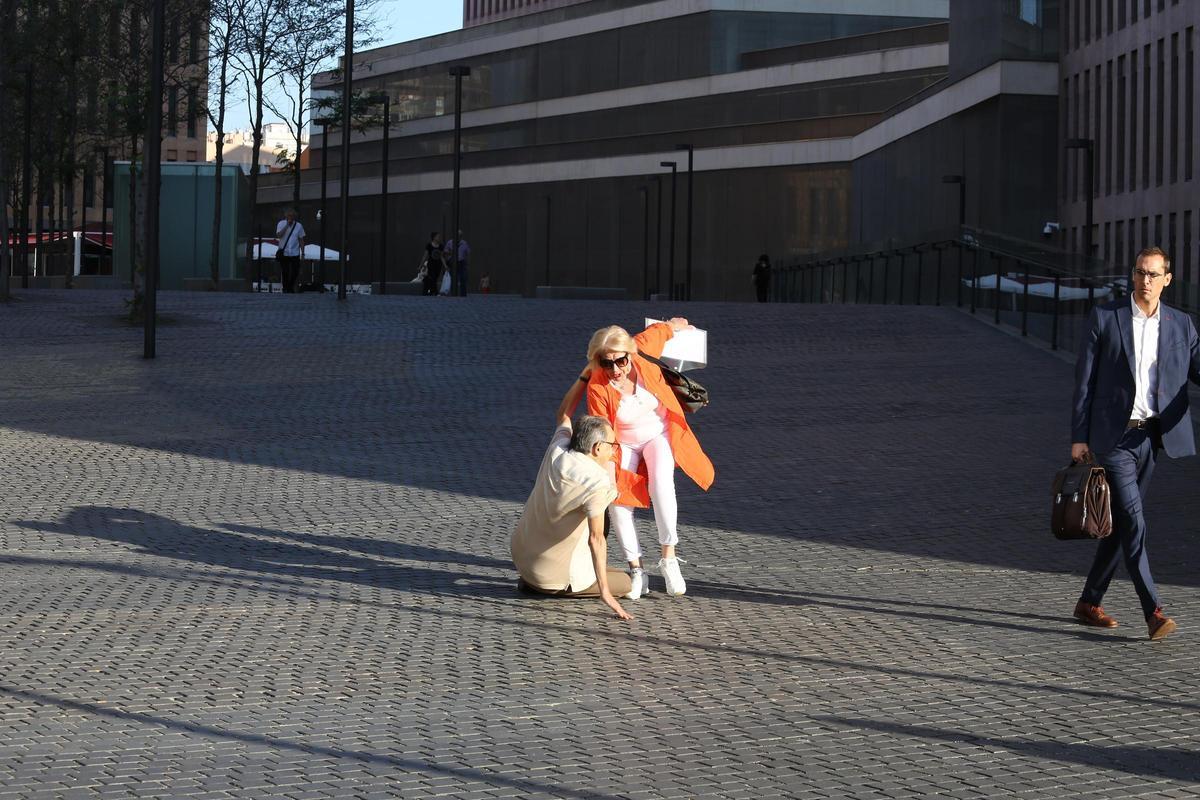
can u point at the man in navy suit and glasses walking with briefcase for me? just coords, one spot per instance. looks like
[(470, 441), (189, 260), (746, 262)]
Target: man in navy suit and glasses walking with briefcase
[(1132, 401)]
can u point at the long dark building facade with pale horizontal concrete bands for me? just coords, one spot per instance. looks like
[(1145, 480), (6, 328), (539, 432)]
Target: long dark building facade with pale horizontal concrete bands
[(568, 118)]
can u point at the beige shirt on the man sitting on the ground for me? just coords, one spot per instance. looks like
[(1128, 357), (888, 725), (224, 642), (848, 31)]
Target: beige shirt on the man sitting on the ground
[(550, 546)]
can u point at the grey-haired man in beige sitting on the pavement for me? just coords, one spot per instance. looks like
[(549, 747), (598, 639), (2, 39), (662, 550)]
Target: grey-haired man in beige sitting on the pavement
[(559, 546)]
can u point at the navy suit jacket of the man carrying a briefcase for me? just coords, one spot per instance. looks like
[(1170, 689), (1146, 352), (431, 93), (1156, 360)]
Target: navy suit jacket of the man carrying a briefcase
[(1105, 378)]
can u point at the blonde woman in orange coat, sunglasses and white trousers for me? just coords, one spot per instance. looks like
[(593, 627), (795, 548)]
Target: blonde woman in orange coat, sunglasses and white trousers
[(653, 436)]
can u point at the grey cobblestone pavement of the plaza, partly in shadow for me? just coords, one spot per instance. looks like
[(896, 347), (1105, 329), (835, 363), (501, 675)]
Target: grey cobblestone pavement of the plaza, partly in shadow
[(273, 563)]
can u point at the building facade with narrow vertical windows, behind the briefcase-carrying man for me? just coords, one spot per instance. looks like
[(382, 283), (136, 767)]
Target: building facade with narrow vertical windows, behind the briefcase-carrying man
[(1129, 85)]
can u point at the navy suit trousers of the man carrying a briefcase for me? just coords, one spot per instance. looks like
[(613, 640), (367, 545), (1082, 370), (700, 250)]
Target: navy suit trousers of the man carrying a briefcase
[(1129, 468)]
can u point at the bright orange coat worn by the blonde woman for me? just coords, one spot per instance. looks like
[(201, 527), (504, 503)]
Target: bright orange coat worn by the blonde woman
[(603, 401)]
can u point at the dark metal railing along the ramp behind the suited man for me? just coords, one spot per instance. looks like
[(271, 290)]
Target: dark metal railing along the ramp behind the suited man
[(1045, 293)]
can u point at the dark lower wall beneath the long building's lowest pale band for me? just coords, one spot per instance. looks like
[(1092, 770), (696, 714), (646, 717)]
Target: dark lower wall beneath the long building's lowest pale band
[(597, 230)]
